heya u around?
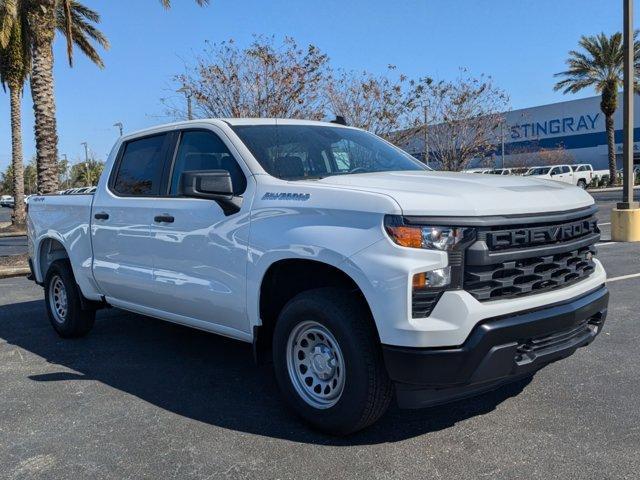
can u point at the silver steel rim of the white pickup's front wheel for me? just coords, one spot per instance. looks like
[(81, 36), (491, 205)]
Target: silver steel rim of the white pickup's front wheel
[(315, 364)]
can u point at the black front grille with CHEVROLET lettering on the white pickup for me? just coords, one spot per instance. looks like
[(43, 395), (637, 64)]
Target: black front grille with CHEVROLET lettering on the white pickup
[(529, 259)]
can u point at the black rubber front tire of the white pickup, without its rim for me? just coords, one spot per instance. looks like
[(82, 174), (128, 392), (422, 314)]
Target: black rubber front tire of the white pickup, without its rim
[(367, 390)]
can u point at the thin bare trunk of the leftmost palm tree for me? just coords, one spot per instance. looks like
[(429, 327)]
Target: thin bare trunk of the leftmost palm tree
[(15, 93)]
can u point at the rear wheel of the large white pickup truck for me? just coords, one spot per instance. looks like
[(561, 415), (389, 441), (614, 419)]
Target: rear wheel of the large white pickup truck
[(76, 321)]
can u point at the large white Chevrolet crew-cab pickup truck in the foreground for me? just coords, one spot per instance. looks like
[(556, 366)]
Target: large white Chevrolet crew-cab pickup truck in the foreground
[(359, 272)]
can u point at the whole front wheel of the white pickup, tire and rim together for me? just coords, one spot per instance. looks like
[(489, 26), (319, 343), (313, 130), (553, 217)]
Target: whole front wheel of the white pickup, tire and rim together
[(328, 361)]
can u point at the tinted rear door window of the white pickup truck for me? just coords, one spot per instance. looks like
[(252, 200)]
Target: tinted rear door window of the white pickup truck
[(140, 168)]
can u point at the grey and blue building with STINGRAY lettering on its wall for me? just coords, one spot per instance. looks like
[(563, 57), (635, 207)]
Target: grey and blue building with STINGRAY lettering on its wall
[(577, 126)]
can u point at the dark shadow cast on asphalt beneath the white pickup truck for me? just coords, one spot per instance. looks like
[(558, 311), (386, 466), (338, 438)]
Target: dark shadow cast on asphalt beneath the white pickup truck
[(204, 377)]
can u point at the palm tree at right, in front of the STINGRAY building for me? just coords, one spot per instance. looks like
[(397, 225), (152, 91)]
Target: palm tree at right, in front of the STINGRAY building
[(599, 64)]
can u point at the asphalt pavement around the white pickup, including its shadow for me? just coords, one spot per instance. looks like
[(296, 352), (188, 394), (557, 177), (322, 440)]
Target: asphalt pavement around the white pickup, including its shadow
[(140, 398)]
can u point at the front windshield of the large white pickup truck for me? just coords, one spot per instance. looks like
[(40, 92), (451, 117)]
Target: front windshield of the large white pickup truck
[(298, 152)]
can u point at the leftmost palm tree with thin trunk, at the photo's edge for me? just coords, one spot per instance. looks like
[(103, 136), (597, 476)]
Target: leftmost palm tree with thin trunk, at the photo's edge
[(15, 63)]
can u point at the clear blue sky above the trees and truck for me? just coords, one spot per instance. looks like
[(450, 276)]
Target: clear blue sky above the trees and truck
[(520, 43)]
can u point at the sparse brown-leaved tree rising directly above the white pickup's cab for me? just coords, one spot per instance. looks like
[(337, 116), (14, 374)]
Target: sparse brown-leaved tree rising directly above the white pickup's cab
[(264, 80)]
